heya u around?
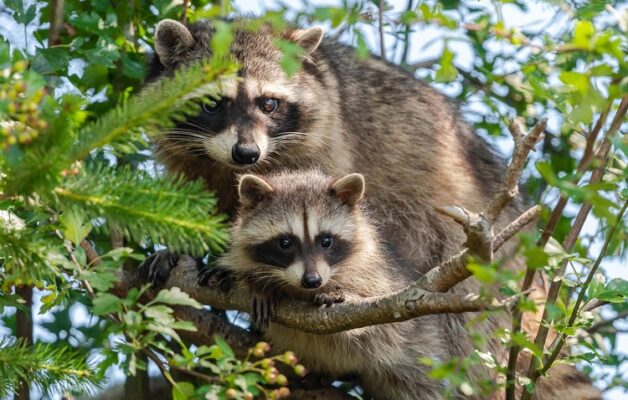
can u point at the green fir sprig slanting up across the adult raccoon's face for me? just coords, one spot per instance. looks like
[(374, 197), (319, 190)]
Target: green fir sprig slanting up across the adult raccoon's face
[(159, 105)]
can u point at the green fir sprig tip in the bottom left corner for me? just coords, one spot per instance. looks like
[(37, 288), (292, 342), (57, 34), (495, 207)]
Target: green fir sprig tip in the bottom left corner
[(50, 368)]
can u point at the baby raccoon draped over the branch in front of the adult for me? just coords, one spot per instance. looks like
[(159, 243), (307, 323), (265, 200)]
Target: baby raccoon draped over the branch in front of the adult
[(303, 235)]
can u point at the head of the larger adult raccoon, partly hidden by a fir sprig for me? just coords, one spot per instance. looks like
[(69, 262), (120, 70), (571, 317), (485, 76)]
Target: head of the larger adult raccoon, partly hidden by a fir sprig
[(257, 113)]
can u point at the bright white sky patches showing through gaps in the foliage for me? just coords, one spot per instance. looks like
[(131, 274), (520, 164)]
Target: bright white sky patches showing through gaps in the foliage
[(427, 44)]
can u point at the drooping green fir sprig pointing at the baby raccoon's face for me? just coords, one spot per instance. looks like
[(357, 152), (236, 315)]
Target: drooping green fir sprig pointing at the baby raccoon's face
[(166, 210)]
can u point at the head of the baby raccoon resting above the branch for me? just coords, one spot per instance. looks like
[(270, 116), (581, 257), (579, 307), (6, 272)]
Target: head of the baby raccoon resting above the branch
[(295, 230)]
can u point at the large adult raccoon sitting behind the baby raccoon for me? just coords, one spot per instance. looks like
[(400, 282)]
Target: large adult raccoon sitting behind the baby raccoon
[(340, 114)]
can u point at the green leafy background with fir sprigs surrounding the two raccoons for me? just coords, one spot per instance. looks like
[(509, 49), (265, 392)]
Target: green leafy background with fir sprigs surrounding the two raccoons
[(76, 168)]
